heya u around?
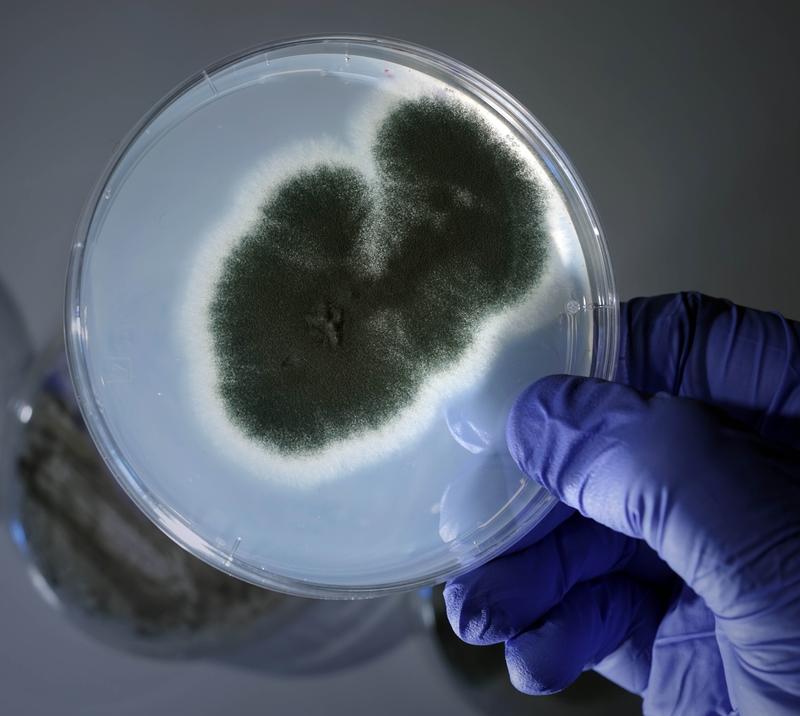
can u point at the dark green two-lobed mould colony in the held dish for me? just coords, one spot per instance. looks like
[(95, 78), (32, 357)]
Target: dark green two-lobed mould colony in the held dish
[(332, 311)]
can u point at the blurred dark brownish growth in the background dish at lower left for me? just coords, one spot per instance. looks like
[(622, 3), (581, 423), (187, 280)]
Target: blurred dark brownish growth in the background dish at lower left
[(110, 568)]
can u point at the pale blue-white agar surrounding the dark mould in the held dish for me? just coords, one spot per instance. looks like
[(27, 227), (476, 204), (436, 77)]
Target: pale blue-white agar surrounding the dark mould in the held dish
[(387, 508)]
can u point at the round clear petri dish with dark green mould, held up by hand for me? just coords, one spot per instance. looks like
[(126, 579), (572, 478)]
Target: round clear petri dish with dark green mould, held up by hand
[(303, 298)]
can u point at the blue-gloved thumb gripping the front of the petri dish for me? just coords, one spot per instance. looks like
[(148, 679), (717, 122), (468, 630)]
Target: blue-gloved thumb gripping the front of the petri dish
[(703, 493)]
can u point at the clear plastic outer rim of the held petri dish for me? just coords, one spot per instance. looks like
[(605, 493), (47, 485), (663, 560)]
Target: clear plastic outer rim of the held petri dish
[(603, 308)]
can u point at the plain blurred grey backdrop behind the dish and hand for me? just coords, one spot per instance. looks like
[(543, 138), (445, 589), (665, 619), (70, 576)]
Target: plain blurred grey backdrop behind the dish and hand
[(683, 120)]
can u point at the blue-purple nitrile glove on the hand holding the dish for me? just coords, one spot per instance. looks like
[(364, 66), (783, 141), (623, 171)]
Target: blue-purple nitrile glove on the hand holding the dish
[(680, 577)]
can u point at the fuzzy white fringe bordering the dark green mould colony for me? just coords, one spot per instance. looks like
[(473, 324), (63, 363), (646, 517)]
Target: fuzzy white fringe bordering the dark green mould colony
[(303, 470)]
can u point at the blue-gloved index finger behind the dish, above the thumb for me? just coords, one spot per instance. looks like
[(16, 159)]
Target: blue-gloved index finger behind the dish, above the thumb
[(744, 361)]
